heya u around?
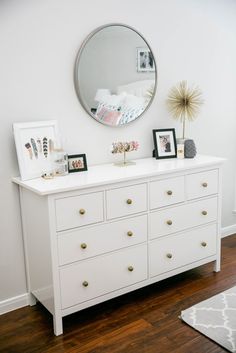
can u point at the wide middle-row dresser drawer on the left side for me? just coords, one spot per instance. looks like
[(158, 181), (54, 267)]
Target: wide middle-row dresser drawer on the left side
[(80, 244)]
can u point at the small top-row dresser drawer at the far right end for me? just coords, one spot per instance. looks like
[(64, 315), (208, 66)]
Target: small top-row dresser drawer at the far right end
[(201, 184)]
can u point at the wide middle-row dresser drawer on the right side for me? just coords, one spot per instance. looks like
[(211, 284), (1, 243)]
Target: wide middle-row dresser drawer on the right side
[(175, 219)]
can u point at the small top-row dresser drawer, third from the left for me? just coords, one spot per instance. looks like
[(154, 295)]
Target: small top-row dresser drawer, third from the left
[(166, 192)]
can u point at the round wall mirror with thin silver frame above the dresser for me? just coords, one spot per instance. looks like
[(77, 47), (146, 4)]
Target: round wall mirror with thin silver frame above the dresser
[(115, 75)]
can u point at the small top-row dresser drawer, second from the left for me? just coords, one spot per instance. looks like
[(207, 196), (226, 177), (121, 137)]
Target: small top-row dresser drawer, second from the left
[(126, 201)]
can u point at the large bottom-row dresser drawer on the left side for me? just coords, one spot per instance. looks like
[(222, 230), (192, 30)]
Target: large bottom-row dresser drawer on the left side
[(94, 277)]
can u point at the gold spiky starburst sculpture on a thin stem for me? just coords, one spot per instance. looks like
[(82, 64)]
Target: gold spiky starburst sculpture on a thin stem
[(184, 102)]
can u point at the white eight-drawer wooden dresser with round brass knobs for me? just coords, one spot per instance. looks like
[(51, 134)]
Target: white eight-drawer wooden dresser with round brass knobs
[(95, 235)]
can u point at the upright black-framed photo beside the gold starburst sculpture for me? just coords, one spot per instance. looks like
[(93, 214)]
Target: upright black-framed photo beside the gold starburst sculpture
[(165, 143)]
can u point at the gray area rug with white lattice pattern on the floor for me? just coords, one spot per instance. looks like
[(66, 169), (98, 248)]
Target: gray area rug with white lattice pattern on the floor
[(215, 318)]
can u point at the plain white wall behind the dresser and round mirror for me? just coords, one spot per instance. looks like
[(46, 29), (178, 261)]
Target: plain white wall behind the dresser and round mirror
[(191, 39)]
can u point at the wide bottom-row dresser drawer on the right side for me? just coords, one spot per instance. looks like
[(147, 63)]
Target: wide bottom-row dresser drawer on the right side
[(167, 254)]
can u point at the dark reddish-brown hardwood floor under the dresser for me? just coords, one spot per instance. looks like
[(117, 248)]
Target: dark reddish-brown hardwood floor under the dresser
[(144, 321)]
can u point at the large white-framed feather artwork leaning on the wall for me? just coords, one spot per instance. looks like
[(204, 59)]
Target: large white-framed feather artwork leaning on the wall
[(34, 144)]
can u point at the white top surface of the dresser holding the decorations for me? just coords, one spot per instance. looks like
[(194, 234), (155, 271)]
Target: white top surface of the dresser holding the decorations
[(109, 173)]
